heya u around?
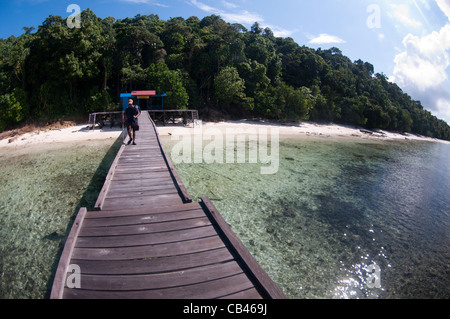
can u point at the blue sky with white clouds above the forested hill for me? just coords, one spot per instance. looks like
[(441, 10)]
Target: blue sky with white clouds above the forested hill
[(408, 40)]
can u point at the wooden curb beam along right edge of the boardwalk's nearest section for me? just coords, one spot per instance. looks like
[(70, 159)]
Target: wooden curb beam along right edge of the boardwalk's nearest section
[(260, 276)]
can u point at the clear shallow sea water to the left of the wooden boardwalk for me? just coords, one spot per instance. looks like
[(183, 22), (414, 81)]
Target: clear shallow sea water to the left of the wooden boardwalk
[(41, 191)]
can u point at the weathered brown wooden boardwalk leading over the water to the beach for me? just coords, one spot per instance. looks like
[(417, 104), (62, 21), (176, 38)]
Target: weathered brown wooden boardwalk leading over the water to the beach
[(149, 240)]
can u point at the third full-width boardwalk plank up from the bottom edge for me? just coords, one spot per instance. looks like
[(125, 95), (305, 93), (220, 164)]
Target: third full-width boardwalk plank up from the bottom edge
[(154, 265)]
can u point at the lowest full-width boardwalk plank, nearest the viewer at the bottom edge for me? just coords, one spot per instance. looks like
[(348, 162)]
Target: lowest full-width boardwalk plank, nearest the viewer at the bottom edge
[(206, 290)]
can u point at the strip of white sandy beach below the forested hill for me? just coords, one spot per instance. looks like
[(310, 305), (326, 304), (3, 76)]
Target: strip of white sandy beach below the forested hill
[(80, 133)]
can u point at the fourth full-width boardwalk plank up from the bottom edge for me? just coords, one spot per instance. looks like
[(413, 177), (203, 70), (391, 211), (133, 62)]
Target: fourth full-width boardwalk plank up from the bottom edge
[(150, 251)]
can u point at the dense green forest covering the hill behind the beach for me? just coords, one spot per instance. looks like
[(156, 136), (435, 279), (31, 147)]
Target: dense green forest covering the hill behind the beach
[(205, 64)]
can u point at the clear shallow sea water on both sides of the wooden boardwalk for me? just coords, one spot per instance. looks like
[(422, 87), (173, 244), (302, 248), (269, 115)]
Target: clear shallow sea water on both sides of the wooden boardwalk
[(334, 207)]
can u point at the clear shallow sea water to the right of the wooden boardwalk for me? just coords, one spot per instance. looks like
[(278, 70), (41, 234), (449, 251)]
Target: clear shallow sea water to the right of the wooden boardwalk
[(342, 218)]
